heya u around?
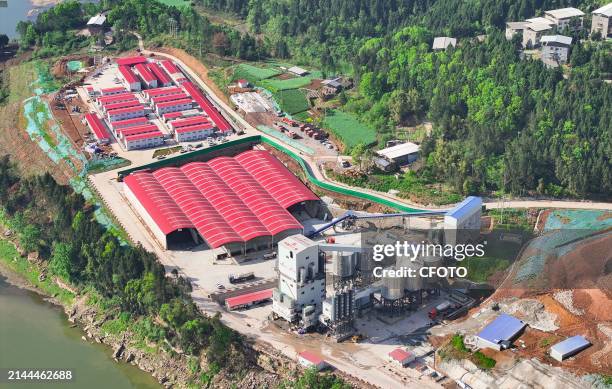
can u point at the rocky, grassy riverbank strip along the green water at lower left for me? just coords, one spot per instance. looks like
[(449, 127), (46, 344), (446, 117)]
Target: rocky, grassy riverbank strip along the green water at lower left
[(171, 369)]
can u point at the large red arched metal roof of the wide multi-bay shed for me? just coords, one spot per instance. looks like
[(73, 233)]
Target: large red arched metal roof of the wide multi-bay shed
[(227, 199)]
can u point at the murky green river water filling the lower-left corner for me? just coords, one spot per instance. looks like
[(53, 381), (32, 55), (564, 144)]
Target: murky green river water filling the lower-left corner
[(36, 334)]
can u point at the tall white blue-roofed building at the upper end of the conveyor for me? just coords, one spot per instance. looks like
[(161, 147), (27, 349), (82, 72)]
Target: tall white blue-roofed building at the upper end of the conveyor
[(462, 223)]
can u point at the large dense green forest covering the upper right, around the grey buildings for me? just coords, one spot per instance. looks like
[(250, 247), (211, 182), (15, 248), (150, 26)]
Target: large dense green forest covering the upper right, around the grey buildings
[(501, 123)]
